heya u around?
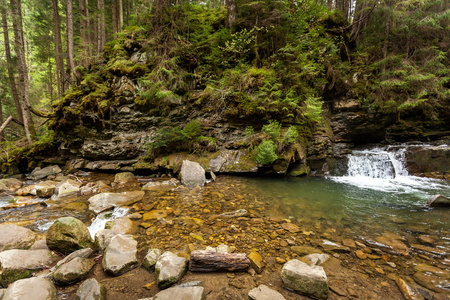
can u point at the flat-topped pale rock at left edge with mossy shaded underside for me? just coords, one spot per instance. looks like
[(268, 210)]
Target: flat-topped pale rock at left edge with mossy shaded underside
[(17, 264)]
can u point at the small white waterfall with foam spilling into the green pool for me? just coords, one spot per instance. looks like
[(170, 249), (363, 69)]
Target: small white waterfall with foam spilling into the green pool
[(383, 169)]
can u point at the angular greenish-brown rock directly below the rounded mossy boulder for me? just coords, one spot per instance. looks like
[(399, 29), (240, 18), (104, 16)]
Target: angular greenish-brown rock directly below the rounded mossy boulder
[(73, 271)]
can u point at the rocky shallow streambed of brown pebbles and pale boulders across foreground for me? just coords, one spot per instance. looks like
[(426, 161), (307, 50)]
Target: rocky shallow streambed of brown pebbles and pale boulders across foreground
[(173, 221)]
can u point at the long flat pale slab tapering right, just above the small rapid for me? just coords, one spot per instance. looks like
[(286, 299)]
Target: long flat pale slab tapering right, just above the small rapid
[(105, 201)]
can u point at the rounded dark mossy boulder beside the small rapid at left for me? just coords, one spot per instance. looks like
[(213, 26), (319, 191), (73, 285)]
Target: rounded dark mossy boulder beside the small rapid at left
[(68, 234)]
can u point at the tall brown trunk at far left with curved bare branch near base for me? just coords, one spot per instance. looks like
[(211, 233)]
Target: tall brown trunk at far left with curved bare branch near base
[(16, 11)]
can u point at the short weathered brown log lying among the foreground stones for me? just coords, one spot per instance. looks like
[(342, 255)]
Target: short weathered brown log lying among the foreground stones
[(210, 261)]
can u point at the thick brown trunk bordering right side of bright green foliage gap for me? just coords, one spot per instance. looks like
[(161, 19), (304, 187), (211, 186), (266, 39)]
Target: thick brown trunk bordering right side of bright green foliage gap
[(58, 49)]
